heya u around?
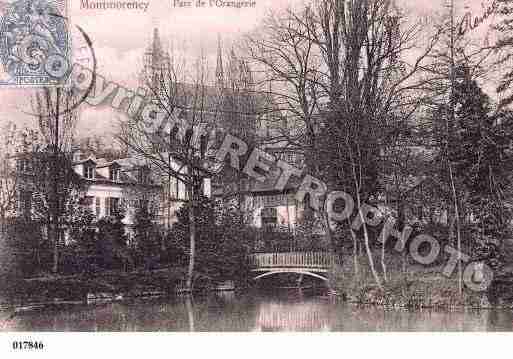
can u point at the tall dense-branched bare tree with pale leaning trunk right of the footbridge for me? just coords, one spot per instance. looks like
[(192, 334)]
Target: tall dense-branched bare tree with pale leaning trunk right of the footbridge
[(370, 83)]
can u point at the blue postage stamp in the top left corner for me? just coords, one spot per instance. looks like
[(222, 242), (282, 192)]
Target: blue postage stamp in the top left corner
[(35, 46)]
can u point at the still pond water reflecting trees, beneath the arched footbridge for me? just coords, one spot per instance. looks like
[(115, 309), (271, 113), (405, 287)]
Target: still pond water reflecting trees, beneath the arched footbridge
[(288, 311)]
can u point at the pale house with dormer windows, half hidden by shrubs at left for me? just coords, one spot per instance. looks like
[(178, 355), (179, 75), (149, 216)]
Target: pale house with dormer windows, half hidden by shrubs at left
[(110, 187)]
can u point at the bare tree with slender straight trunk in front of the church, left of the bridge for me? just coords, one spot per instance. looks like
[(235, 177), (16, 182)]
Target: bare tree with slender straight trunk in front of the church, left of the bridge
[(174, 141)]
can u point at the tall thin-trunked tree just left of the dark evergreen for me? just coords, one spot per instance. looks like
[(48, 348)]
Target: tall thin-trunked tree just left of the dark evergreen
[(454, 55)]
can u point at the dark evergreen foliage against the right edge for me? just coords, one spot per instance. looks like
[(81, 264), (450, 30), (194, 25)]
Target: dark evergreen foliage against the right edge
[(483, 160)]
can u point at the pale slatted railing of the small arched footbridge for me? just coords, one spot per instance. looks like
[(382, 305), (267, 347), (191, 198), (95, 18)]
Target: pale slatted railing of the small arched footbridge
[(293, 260)]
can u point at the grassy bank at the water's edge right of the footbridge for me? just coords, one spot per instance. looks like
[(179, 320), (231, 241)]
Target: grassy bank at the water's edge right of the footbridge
[(411, 286)]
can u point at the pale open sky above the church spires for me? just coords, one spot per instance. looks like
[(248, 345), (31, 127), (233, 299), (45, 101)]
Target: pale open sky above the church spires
[(120, 38)]
